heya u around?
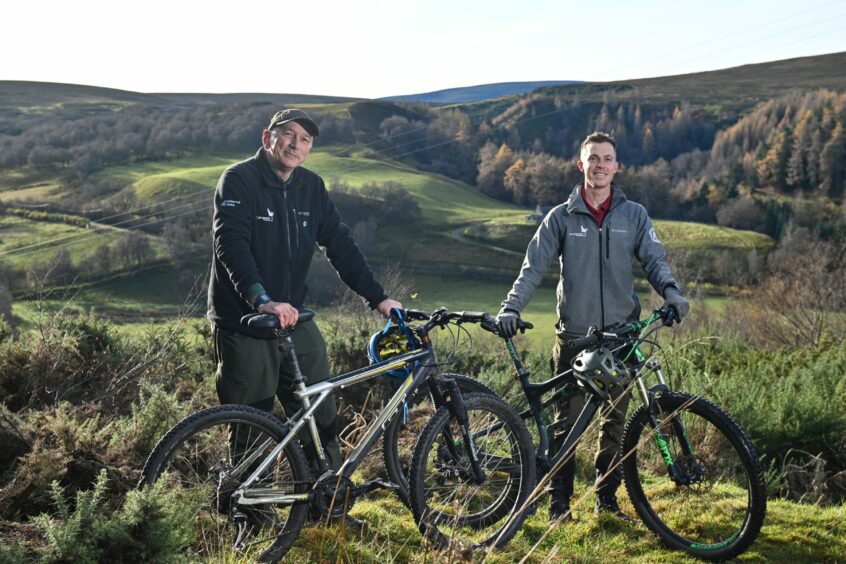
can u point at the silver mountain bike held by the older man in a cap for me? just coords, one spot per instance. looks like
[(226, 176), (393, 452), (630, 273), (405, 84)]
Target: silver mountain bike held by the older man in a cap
[(245, 472)]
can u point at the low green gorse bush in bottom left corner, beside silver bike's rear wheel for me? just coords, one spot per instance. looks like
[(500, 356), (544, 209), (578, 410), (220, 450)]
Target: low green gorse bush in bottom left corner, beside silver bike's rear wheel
[(151, 525)]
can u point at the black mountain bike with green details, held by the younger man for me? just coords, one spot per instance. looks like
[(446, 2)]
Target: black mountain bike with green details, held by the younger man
[(691, 472)]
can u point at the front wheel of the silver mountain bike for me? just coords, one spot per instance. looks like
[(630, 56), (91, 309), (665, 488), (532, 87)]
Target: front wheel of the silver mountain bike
[(446, 505)]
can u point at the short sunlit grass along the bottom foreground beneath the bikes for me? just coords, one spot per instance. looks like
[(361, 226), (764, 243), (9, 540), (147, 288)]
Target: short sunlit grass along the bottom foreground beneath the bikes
[(791, 533)]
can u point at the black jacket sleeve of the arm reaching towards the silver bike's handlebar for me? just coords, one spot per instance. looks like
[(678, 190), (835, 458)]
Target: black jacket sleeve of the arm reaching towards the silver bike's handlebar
[(344, 254)]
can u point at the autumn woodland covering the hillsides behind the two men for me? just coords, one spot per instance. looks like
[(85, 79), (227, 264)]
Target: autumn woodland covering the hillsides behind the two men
[(782, 163)]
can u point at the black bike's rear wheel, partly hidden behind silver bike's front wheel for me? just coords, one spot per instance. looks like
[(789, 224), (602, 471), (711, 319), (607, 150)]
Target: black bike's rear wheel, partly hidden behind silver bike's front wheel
[(399, 438)]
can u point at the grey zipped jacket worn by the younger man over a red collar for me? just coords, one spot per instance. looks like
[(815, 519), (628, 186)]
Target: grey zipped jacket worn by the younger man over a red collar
[(596, 286)]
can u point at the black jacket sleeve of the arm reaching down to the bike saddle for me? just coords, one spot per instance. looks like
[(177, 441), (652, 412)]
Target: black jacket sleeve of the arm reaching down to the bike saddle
[(233, 234)]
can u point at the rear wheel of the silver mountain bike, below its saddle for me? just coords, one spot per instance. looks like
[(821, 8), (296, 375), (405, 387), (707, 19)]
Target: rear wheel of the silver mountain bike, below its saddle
[(198, 456)]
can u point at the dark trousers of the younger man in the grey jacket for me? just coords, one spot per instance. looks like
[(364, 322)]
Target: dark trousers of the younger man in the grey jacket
[(612, 421)]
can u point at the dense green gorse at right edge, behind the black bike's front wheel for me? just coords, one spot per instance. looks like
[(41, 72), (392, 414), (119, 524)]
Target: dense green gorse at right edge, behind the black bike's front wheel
[(788, 401)]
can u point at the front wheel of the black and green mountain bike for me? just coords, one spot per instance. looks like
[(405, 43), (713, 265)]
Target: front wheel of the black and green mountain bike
[(714, 506)]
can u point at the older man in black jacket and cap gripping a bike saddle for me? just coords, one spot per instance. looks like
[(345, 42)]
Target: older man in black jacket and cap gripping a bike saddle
[(269, 214)]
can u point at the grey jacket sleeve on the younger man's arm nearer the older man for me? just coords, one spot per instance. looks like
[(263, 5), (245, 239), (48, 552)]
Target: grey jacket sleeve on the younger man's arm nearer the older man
[(542, 249)]
